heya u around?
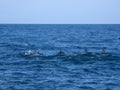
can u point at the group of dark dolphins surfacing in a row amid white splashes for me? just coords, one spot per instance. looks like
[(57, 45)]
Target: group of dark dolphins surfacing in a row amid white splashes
[(62, 53)]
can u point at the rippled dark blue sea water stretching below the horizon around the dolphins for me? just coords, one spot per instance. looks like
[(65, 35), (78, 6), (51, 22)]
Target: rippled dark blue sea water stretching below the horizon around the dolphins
[(73, 71)]
